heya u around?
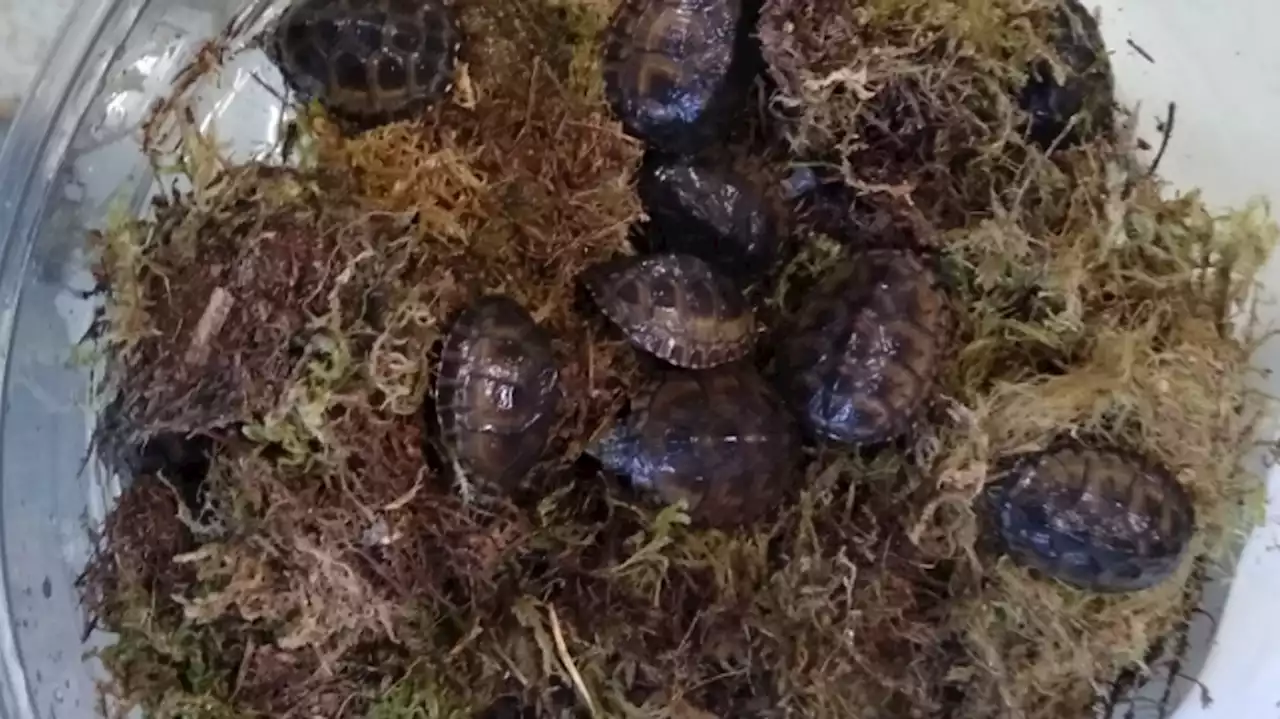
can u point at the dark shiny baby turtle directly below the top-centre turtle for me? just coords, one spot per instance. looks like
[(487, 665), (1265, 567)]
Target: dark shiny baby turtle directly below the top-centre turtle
[(714, 216)]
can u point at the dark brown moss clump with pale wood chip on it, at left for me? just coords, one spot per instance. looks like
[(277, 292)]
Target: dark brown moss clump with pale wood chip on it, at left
[(222, 287)]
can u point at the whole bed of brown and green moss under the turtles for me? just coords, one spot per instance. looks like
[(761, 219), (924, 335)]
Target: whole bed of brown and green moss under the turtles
[(327, 567)]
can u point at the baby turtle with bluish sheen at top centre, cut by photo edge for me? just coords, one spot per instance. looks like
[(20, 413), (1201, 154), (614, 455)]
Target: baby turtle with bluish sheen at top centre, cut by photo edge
[(675, 70)]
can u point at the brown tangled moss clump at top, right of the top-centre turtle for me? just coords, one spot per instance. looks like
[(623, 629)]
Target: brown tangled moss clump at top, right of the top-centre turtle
[(912, 106)]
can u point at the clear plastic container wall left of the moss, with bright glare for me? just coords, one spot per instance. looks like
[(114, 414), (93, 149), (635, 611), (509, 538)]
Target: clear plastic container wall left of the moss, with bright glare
[(72, 155)]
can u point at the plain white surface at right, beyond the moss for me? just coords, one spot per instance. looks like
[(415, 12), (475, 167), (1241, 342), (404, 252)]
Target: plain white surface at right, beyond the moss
[(1219, 62)]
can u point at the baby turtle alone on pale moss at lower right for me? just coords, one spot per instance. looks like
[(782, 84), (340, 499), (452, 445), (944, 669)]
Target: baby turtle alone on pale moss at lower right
[(1098, 519)]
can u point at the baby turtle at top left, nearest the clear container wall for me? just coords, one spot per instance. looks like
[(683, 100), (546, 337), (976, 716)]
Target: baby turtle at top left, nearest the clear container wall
[(369, 61)]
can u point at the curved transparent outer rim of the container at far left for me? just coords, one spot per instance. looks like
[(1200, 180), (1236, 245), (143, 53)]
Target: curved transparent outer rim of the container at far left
[(30, 161)]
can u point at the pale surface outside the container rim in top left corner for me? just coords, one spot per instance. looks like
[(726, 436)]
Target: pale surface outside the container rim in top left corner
[(28, 30)]
